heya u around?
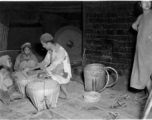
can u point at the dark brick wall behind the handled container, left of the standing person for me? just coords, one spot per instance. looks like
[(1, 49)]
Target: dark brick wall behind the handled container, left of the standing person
[(109, 38)]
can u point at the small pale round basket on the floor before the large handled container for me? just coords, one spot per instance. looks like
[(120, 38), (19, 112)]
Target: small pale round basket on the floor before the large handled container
[(91, 97)]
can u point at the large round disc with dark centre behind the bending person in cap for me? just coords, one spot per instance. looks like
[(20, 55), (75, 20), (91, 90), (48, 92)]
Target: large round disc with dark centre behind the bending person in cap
[(70, 38)]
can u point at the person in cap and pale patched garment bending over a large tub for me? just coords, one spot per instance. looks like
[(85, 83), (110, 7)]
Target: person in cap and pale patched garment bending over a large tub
[(56, 63)]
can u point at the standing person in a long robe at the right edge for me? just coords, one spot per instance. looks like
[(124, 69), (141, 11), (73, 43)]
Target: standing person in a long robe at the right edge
[(142, 67)]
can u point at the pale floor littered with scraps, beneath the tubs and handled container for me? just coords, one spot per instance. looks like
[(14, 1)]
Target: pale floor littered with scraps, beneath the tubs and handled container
[(115, 103)]
